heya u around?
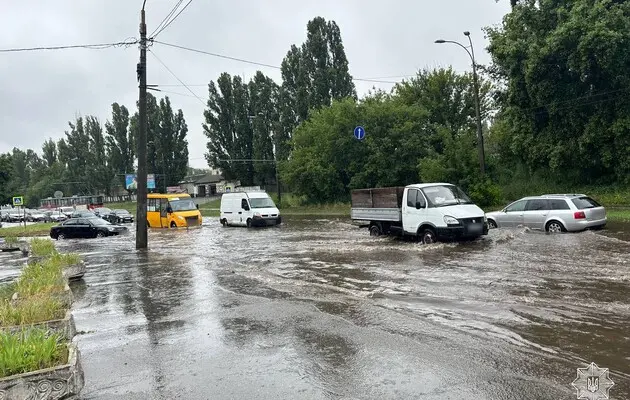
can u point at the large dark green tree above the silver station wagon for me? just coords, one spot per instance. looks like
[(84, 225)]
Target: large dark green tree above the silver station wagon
[(564, 70)]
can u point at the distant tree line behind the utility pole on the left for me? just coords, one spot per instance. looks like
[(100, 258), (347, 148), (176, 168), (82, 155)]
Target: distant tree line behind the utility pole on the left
[(93, 158)]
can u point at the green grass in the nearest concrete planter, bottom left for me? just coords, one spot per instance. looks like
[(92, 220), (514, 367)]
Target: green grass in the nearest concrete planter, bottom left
[(30, 350)]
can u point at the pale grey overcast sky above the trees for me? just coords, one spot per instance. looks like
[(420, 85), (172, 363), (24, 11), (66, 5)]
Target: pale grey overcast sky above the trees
[(41, 91)]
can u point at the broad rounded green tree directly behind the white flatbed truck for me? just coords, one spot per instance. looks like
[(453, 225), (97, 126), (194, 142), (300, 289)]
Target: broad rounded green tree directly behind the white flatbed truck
[(327, 161)]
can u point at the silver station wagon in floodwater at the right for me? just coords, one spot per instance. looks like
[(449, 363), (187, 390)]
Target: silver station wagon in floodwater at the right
[(552, 213)]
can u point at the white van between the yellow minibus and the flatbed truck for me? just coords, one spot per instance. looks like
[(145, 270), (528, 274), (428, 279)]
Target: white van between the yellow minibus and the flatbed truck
[(248, 209)]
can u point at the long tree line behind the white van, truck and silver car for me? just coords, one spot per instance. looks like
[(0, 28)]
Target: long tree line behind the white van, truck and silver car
[(554, 103)]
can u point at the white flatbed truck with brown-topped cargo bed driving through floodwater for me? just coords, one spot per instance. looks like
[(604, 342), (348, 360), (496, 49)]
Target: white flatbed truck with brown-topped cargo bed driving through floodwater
[(429, 212)]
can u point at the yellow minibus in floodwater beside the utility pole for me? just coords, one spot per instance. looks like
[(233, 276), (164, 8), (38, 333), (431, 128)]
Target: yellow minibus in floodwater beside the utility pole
[(172, 211)]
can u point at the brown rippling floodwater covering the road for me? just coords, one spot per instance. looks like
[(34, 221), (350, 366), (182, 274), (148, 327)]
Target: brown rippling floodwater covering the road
[(318, 309)]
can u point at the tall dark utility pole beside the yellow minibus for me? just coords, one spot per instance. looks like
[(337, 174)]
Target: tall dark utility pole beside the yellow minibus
[(141, 201)]
